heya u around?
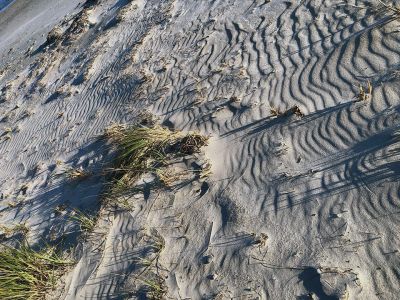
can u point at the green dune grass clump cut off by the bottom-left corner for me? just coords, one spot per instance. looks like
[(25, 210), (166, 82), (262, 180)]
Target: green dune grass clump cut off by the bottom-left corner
[(29, 274)]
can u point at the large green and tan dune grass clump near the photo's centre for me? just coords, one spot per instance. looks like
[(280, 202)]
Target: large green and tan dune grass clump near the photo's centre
[(143, 149)]
